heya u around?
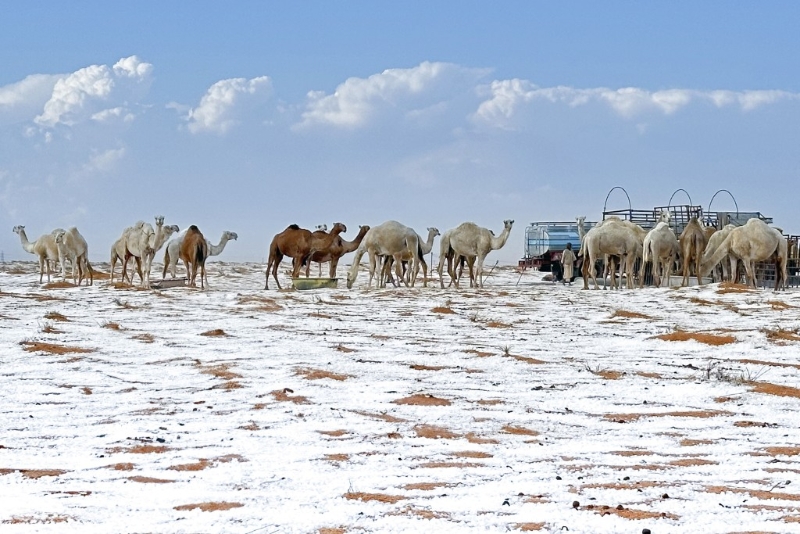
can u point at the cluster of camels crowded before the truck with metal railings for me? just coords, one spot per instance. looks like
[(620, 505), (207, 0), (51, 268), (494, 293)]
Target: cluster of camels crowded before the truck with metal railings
[(699, 249)]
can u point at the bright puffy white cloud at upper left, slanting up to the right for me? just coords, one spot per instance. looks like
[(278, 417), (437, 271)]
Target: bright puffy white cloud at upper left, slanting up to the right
[(85, 92)]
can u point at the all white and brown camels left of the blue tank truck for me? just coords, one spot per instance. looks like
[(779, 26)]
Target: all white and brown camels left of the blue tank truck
[(389, 244)]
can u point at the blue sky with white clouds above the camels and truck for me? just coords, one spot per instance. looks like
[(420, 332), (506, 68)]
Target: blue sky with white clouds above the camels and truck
[(253, 116)]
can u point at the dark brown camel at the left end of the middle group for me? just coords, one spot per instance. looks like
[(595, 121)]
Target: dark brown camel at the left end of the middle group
[(299, 244)]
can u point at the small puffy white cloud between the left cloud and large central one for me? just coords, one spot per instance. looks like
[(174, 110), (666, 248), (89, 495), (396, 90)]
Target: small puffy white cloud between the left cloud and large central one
[(226, 101)]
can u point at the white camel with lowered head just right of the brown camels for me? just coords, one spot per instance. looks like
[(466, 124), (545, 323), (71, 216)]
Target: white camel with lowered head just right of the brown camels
[(388, 239)]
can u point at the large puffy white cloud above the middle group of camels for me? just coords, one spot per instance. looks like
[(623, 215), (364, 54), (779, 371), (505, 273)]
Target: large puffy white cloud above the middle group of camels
[(357, 100)]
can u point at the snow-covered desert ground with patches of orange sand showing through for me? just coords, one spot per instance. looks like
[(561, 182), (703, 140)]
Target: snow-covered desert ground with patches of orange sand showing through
[(522, 406)]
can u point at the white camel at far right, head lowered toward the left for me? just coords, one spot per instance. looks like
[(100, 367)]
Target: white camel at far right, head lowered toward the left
[(751, 243)]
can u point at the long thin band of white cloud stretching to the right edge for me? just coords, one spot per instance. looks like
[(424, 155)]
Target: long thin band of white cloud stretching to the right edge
[(506, 97)]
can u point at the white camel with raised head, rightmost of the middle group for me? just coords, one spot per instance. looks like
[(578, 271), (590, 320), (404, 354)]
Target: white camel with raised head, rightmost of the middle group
[(474, 243)]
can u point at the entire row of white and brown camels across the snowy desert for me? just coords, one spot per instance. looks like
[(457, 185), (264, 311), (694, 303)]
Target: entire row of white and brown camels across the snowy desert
[(699, 250)]
